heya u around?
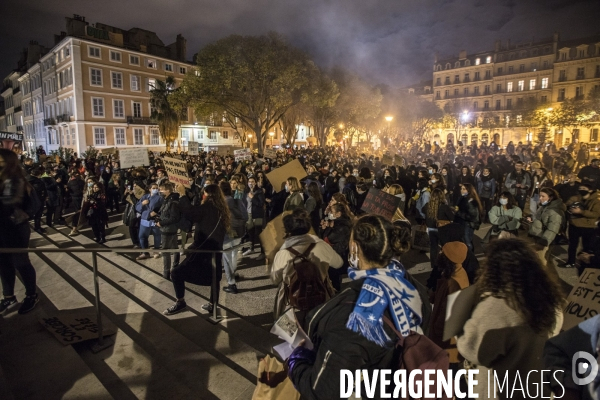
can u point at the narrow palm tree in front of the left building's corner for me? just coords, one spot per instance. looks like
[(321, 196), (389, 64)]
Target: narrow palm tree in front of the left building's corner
[(167, 109)]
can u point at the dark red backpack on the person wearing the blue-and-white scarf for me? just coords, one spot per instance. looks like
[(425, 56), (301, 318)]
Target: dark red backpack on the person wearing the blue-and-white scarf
[(418, 352)]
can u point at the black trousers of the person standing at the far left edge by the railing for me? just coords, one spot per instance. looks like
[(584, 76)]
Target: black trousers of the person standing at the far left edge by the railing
[(18, 262)]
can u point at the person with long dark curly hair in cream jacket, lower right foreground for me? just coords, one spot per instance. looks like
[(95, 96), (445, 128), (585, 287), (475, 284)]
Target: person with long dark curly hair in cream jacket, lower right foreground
[(519, 308)]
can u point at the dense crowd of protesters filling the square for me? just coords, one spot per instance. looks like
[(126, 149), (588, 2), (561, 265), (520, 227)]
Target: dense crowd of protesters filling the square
[(530, 198)]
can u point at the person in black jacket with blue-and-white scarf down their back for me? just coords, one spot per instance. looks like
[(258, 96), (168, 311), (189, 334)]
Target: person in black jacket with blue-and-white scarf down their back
[(349, 331)]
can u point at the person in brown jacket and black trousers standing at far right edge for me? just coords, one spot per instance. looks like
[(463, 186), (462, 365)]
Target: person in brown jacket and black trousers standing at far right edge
[(583, 212)]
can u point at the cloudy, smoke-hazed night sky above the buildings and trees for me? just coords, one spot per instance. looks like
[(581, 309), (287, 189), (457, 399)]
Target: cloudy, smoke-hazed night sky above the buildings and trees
[(384, 41)]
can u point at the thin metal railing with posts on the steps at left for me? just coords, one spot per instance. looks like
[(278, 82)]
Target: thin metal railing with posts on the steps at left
[(102, 343)]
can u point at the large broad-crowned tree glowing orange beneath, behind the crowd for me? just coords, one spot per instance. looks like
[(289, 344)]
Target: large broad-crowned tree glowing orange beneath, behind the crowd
[(254, 79)]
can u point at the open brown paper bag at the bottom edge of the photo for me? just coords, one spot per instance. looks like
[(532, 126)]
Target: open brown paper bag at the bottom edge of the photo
[(273, 382)]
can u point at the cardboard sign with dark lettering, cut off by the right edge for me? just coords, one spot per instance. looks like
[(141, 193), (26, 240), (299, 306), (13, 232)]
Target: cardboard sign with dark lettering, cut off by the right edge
[(584, 300)]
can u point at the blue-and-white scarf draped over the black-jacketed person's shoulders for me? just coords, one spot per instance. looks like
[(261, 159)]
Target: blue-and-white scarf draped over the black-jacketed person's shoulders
[(384, 288)]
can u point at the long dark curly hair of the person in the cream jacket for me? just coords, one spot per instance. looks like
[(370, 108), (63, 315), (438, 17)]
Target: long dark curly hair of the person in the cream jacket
[(514, 272)]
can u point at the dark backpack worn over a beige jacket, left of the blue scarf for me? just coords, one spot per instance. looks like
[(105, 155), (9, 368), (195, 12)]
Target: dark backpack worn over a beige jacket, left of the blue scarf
[(307, 289)]
